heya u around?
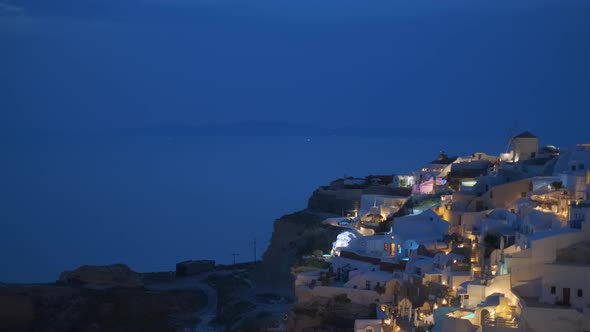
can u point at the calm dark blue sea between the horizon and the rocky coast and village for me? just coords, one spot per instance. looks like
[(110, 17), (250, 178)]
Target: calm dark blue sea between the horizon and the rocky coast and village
[(153, 201)]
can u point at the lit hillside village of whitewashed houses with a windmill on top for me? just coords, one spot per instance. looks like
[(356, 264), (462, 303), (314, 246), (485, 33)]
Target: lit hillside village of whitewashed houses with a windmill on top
[(473, 243)]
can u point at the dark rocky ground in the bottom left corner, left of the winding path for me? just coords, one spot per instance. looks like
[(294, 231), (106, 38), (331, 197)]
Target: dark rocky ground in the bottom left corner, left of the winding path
[(57, 308)]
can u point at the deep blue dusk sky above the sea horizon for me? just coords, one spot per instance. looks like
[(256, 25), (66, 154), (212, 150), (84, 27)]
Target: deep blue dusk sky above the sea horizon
[(464, 65)]
